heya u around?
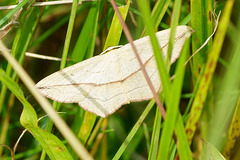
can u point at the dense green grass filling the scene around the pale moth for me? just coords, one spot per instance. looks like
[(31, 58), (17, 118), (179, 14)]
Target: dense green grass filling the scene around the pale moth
[(209, 84)]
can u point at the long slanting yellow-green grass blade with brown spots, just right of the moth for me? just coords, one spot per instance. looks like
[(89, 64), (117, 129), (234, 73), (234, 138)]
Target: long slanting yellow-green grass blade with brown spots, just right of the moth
[(208, 72)]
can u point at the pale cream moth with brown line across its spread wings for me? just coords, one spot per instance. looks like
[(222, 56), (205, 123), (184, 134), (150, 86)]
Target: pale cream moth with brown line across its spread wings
[(102, 84)]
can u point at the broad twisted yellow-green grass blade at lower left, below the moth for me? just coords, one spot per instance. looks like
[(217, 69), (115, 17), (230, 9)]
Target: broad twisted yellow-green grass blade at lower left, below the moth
[(50, 143)]
